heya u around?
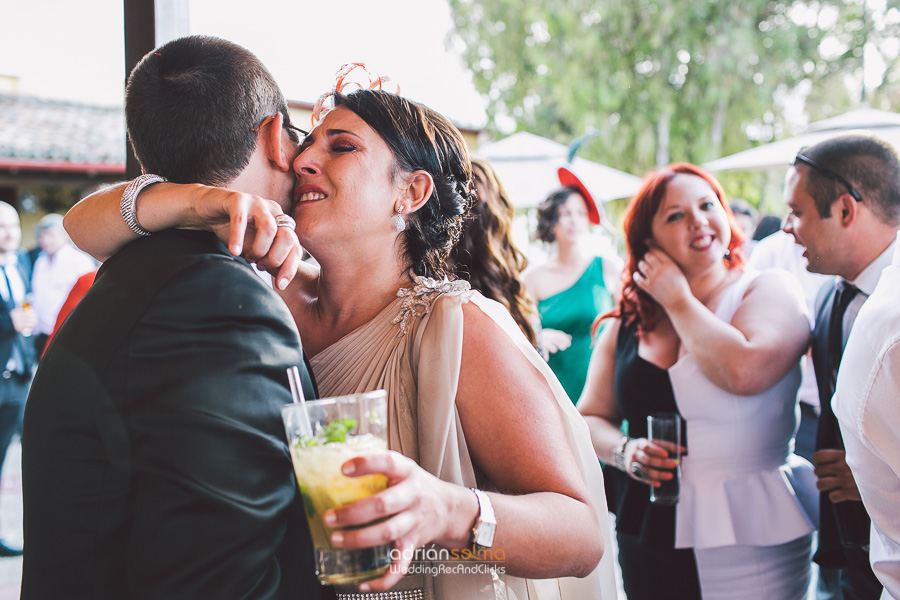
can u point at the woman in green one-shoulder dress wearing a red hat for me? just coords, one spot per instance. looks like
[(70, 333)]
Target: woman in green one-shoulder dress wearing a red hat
[(574, 286)]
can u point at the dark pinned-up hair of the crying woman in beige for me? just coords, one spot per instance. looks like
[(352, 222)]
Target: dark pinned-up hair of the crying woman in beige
[(422, 139)]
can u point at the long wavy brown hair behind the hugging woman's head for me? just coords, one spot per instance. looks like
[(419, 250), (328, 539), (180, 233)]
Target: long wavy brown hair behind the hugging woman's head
[(486, 255)]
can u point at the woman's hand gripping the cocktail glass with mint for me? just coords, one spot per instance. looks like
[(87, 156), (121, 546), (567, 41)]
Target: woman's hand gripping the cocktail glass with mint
[(417, 509)]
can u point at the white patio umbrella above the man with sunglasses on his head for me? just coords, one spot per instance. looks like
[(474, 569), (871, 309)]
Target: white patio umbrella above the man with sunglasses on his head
[(885, 125)]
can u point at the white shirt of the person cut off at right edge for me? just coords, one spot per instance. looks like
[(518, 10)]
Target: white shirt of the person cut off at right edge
[(867, 405)]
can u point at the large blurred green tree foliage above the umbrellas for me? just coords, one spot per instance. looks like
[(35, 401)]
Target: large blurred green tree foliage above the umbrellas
[(660, 80)]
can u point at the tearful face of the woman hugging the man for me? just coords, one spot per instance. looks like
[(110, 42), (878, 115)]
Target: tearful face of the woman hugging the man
[(344, 181)]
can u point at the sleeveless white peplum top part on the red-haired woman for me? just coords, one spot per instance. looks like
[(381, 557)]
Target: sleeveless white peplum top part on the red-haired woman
[(741, 483)]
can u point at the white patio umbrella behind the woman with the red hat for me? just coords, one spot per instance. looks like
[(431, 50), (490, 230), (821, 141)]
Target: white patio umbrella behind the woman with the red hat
[(527, 165)]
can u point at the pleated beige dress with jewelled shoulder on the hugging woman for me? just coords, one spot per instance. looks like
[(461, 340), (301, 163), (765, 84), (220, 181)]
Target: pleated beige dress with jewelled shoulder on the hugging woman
[(413, 350)]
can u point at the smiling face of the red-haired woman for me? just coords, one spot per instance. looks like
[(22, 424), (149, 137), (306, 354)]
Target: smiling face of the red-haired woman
[(690, 225)]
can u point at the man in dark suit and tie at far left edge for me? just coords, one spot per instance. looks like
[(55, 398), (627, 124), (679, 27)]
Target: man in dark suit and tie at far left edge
[(17, 355)]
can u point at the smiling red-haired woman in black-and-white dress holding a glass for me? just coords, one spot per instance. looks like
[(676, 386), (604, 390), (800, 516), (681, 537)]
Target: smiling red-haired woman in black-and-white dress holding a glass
[(697, 334)]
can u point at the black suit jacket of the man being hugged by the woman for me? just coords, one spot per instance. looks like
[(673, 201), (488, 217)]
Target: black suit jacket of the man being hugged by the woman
[(154, 455)]
